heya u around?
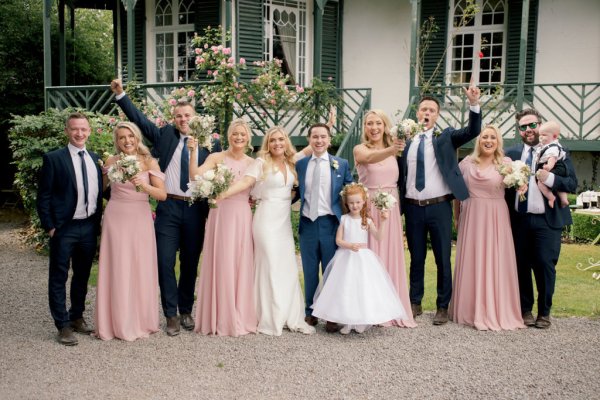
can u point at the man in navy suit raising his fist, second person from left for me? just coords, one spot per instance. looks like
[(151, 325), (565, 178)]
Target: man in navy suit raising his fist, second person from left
[(178, 225)]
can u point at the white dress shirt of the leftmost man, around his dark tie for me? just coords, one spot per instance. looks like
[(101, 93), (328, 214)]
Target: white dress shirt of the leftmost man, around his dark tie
[(92, 174)]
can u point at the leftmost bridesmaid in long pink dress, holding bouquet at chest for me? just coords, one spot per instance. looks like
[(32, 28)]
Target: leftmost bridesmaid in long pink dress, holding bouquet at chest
[(127, 291)]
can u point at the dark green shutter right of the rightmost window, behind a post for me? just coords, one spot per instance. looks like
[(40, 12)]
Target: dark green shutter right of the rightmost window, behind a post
[(513, 41)]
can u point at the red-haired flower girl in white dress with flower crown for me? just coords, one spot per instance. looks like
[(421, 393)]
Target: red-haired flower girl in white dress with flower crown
[(356, 289)]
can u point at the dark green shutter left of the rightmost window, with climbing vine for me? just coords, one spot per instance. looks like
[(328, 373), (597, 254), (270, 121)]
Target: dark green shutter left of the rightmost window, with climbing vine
[(436, 52)]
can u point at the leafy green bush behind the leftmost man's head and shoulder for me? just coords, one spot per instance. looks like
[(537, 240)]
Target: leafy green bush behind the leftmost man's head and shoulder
[(34, 135)]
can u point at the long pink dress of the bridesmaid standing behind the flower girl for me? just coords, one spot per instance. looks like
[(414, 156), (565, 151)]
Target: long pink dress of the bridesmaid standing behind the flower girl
[(390, 248)]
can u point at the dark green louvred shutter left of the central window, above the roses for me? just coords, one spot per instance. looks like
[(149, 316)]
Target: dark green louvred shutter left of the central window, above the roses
[(249, 38)]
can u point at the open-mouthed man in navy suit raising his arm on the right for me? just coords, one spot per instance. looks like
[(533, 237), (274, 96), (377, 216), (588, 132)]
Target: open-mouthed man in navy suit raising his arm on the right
[(431, 180)]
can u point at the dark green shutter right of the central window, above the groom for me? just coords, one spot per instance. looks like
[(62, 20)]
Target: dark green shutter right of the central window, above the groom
[(332, 42)]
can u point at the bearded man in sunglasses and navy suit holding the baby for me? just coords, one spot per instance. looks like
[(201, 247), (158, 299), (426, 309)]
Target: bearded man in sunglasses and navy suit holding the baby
[(537, 227)]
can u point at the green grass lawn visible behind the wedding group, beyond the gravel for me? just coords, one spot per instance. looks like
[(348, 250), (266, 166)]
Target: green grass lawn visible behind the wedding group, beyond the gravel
[(576, 294)]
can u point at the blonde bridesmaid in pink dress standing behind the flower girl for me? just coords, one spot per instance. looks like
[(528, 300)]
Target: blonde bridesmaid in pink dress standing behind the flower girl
[(377, 168)]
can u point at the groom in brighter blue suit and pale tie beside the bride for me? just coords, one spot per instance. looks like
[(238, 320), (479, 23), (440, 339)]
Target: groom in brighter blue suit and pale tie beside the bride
[(321, 178)]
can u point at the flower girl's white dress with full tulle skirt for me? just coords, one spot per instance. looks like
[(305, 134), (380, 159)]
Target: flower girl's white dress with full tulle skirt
[(356, 288)]
